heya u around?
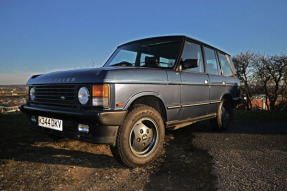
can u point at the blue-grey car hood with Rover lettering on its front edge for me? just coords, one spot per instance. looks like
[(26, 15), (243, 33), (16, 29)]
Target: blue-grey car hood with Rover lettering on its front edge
[(102, 75)]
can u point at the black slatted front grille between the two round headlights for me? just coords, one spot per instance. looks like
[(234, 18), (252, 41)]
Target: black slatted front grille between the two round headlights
[(56, 95)]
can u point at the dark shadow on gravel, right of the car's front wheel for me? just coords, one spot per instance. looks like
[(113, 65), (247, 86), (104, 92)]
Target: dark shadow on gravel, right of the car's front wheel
[(184, 166)]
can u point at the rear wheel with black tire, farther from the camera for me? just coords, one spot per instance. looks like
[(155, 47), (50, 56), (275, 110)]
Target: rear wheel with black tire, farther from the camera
[(223, 117)]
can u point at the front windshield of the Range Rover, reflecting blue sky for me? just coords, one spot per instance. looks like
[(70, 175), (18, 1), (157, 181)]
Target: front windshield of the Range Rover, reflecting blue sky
[(155, 53)]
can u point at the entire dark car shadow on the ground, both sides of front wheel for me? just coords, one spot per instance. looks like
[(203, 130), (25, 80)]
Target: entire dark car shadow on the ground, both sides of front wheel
[(182, 165)]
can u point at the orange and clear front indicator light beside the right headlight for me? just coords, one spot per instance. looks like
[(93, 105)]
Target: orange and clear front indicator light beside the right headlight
[(101, 95)]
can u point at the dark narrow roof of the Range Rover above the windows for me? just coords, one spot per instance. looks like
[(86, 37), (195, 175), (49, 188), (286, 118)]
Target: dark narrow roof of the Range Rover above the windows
[(173, 37)]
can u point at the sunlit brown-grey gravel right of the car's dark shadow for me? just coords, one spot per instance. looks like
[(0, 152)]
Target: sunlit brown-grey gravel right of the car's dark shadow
[(249, 156)]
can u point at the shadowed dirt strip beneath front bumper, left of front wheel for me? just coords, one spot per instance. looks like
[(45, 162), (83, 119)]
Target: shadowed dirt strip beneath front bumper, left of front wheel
[(62, 152)]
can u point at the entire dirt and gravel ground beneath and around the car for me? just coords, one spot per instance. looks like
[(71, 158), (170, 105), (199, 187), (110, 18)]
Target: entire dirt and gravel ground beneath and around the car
[(250, 155)]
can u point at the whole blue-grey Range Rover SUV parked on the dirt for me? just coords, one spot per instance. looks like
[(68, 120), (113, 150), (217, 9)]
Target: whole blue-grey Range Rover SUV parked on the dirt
[(145, 87)]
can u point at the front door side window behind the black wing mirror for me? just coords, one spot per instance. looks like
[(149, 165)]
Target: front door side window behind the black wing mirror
[(192, 51)]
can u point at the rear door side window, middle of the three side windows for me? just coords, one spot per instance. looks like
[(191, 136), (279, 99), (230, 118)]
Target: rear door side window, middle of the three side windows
[(212, 61)]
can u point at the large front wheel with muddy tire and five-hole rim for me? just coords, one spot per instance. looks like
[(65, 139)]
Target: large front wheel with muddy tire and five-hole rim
[(140, 138)]
